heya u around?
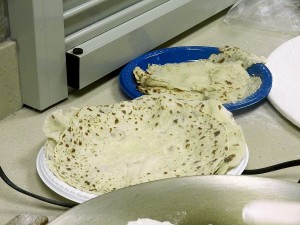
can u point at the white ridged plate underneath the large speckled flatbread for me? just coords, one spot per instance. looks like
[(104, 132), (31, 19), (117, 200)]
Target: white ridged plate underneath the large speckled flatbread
[(78, 196)]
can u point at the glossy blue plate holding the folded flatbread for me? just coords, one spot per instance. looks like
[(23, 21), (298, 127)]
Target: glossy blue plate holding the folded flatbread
[(186, 54)]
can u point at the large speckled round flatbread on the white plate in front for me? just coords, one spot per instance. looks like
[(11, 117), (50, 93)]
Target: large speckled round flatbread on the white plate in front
[(98, 149)]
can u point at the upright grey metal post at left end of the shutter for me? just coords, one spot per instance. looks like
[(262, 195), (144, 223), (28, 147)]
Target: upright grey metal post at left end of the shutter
[(38, 28)]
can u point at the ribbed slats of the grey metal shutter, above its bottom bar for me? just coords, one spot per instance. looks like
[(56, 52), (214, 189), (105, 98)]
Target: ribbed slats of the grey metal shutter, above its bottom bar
[(84, 20)]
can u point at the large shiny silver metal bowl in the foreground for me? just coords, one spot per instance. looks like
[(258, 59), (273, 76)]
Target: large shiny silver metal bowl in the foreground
[(195, 200)]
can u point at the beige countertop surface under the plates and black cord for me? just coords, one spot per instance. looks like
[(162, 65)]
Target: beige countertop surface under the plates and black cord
[(271, 138)]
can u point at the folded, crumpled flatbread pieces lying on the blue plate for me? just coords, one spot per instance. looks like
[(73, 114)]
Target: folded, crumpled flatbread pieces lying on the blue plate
[(222, 76)]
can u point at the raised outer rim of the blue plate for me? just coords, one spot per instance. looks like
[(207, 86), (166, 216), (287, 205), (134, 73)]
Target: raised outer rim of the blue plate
[(128, 83)]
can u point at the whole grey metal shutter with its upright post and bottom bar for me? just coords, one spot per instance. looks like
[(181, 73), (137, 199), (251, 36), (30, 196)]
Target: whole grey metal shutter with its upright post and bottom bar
[(76, 42)]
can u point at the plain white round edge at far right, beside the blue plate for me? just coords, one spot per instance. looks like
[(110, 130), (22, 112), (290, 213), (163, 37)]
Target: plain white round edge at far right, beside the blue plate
[(284, 64)]
